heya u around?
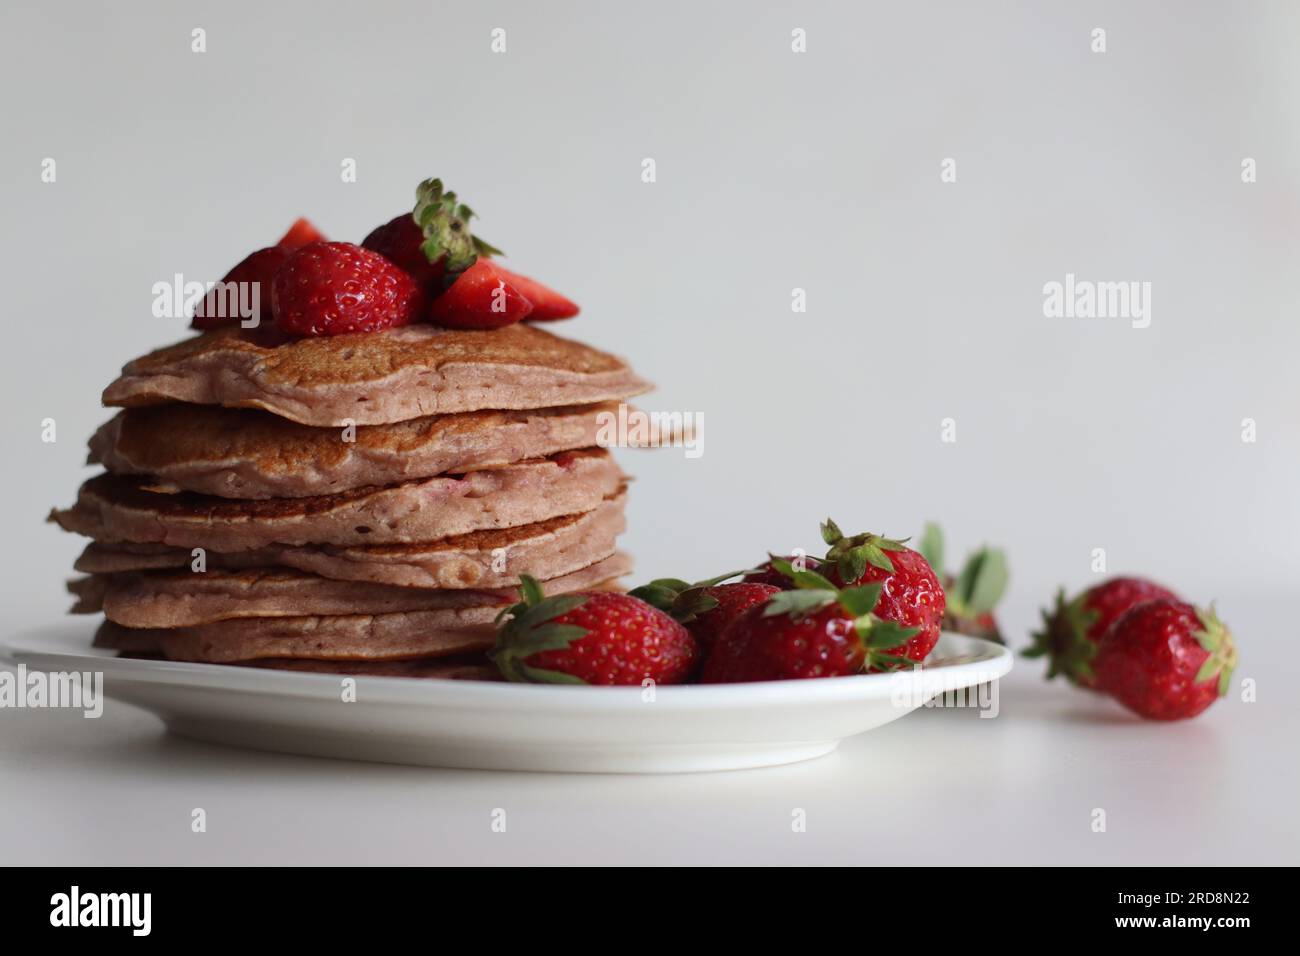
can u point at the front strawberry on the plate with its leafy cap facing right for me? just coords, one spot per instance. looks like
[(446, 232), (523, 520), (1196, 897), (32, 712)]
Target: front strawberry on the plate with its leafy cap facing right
[(813, 631)]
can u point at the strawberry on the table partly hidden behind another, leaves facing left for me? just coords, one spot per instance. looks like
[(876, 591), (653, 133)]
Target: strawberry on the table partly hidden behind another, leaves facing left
[(1072, 630)]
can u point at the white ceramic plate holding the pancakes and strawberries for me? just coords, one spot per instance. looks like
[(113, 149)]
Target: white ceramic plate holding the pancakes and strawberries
[(491, 726)]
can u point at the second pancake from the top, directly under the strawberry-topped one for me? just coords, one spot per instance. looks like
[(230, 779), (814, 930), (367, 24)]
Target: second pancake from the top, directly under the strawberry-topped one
[(241, 453)]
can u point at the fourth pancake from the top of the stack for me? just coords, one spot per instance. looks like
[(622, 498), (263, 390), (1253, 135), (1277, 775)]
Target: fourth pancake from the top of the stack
[(482, 560)]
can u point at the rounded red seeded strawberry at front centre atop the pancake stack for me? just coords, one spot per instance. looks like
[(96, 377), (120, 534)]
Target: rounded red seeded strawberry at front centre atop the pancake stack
[(336, 288)]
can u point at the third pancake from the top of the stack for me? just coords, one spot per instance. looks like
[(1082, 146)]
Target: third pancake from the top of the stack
[(115, 508)]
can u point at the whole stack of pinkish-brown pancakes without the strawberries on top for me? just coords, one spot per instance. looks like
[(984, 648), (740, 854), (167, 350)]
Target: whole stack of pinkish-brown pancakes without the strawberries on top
[(354, 504)]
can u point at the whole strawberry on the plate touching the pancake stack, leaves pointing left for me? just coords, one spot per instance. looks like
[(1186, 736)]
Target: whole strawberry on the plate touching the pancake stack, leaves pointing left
[(591, 638)]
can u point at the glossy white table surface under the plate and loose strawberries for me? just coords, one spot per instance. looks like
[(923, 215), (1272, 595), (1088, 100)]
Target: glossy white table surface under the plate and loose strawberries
[(935, 788)]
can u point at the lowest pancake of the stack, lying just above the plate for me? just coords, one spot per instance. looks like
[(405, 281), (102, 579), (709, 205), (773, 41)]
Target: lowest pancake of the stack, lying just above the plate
[(344, 638)]
